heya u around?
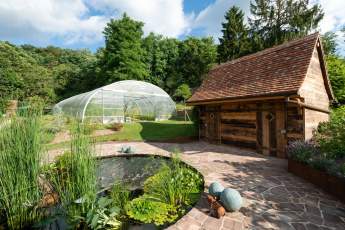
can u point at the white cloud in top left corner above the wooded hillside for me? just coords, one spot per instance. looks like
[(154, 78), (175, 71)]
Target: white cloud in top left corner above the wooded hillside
[(40, 21)]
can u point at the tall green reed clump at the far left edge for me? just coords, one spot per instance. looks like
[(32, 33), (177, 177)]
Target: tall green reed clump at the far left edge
[(20, 151)]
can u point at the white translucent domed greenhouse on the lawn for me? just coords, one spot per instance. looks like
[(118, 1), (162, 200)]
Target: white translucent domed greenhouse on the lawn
[(120, 102)]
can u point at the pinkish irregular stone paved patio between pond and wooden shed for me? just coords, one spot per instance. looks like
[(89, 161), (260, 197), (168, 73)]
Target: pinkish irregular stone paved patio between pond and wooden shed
[(274, 198)]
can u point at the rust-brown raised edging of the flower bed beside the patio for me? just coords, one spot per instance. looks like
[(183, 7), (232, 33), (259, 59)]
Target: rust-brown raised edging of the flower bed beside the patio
[(330, 184)]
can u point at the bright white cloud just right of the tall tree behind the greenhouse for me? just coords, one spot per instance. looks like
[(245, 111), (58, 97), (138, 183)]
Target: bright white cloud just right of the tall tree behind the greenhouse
[(160, 16)]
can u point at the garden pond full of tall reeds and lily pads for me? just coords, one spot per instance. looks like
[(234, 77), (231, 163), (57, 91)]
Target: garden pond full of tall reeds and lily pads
[(69, 193)]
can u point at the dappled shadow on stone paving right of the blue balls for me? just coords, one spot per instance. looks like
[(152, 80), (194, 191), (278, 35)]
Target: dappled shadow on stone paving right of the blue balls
[(276, 198)]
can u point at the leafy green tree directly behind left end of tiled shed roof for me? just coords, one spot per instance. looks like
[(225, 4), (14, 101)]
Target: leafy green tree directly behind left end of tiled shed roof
[(196, 57)]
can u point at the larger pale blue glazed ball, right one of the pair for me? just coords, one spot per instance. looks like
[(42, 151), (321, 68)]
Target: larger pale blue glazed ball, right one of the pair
[(231, 199)]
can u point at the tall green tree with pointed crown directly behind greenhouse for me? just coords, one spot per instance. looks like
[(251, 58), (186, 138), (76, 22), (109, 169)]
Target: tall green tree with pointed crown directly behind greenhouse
[(123, 56)]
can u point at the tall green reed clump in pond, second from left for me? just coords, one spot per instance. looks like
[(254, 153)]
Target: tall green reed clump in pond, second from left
[(75, 177)]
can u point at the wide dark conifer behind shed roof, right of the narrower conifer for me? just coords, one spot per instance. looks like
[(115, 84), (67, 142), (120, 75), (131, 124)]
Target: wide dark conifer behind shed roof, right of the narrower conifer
[(277, 21)]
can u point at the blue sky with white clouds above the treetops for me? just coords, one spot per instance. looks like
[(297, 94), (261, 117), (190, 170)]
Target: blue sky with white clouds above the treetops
[(79, 23)]
